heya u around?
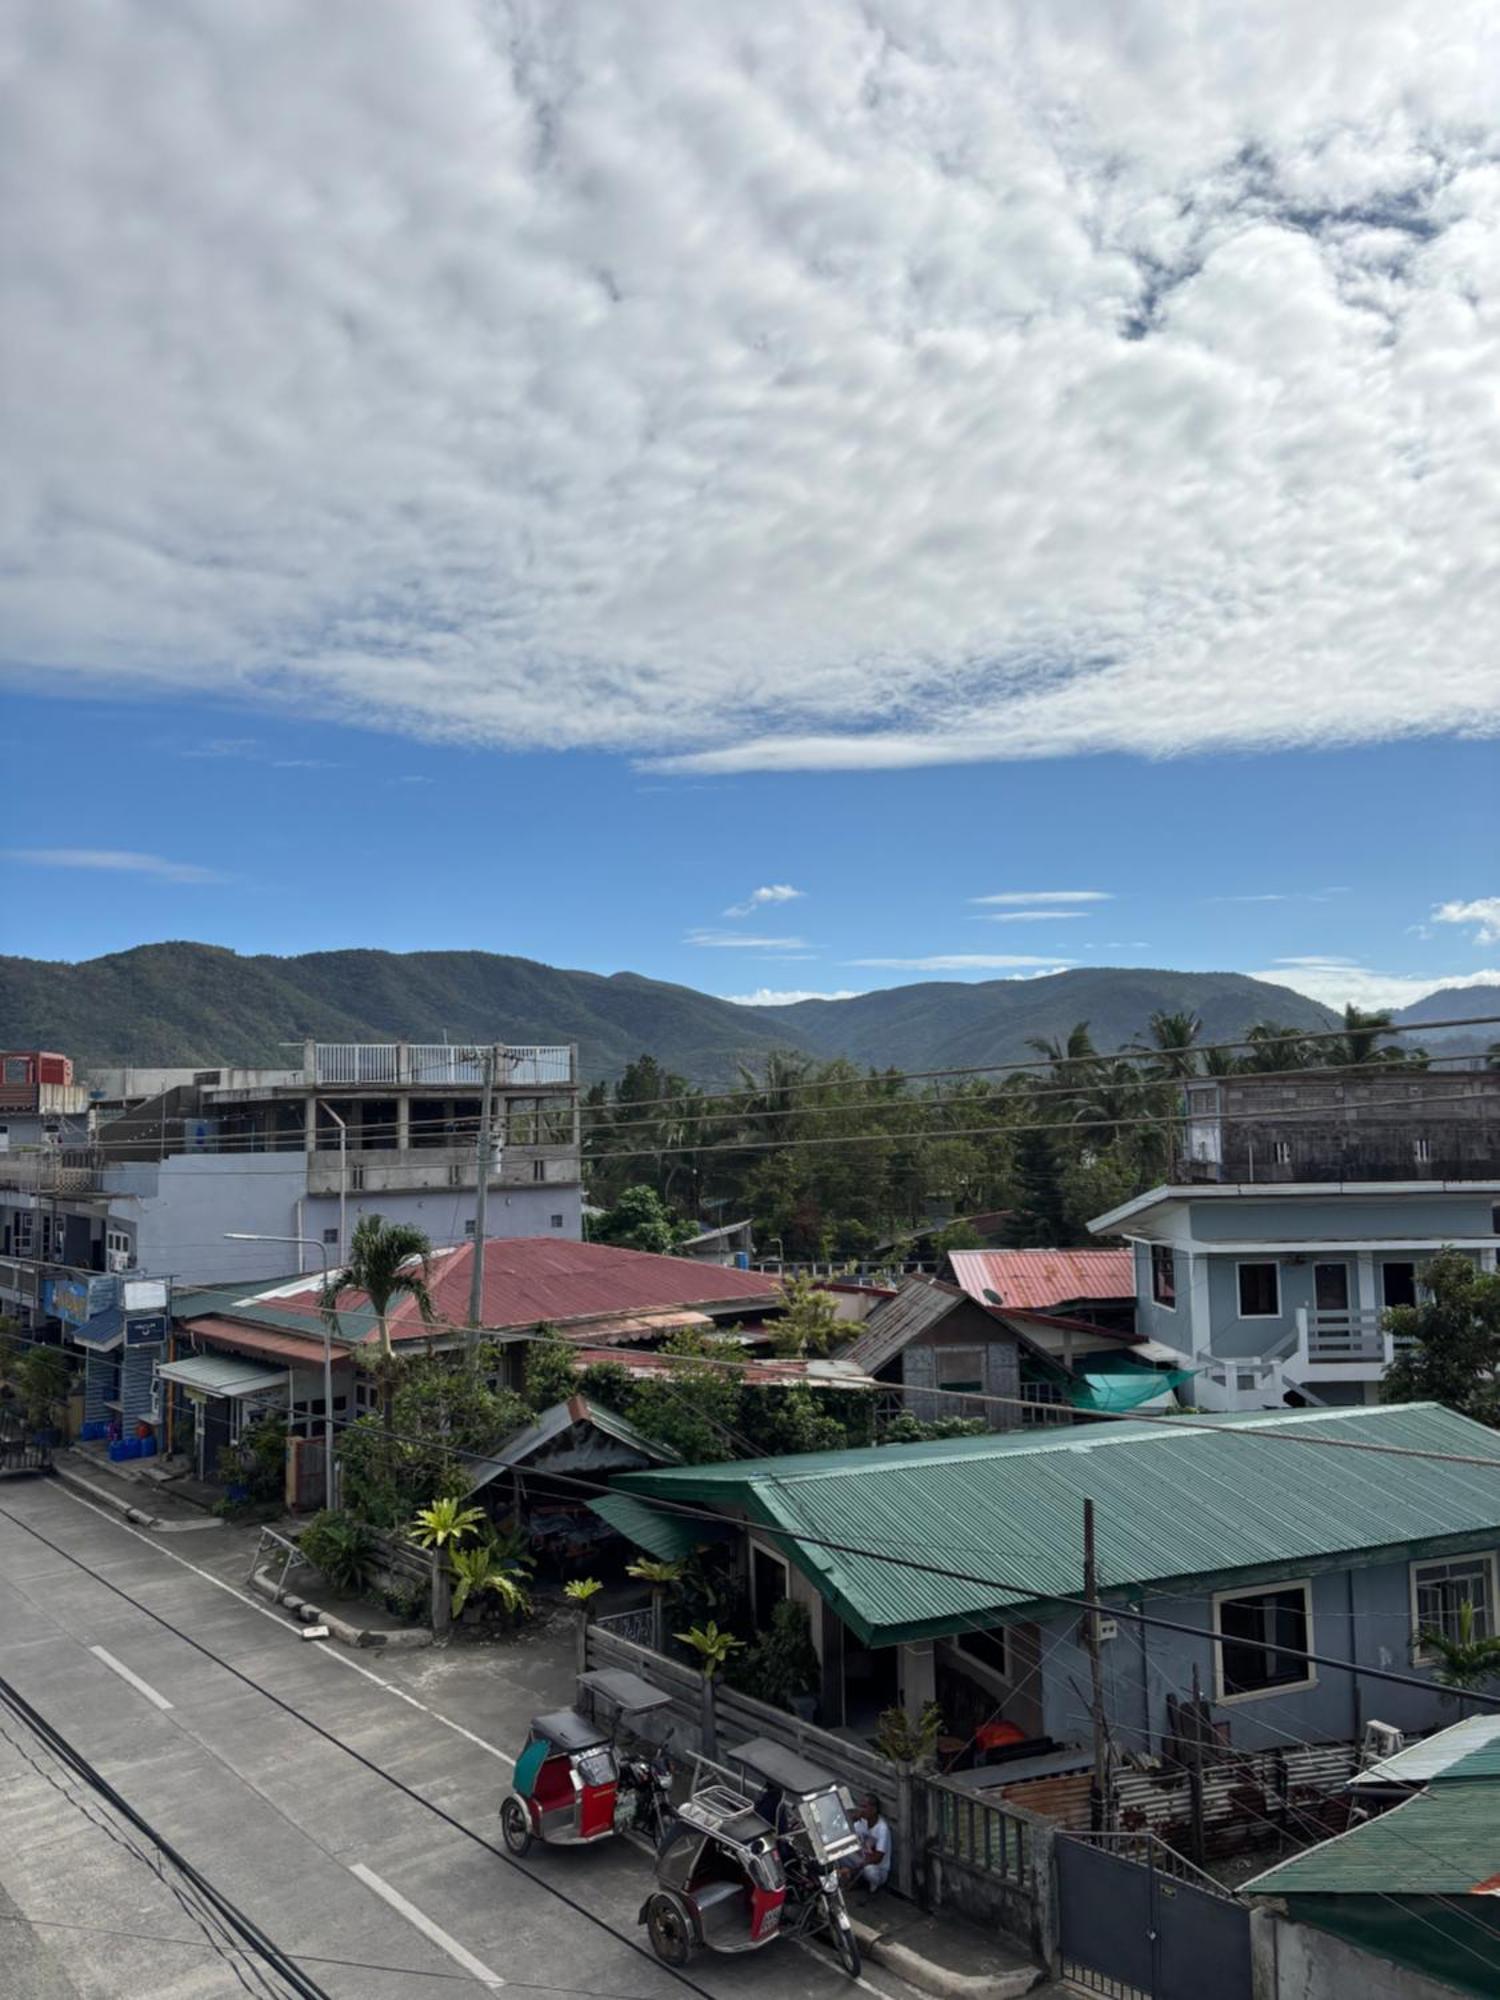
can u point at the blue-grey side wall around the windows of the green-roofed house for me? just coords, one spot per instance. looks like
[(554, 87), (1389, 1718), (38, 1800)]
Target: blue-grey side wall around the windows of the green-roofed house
[(1357, 1615)]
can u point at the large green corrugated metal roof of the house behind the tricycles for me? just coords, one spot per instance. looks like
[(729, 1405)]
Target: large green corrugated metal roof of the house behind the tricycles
[(1175, 1503)]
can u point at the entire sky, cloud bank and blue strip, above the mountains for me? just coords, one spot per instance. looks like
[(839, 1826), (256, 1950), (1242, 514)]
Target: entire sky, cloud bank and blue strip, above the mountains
[(777, 499)]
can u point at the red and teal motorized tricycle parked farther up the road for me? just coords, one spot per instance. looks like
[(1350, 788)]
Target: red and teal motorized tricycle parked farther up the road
[(573, 1787)]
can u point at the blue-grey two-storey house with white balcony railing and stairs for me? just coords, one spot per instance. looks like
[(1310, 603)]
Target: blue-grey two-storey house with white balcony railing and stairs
[(1277, 1293)]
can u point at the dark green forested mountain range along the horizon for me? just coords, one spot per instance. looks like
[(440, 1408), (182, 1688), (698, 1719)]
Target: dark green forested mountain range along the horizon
[(207, 1005)]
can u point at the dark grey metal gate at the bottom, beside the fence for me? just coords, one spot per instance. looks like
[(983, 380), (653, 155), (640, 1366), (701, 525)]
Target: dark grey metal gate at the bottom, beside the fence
[(1139, 1923)]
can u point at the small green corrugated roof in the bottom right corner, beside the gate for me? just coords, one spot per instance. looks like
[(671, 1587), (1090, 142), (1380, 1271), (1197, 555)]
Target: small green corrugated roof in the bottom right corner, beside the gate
[(1443, 1843)]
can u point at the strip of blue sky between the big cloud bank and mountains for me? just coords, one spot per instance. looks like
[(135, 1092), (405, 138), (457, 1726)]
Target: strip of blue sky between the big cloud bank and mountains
[(321, 835)]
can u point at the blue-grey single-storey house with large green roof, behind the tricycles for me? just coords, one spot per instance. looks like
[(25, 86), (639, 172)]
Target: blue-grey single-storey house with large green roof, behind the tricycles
[(935, 1571)]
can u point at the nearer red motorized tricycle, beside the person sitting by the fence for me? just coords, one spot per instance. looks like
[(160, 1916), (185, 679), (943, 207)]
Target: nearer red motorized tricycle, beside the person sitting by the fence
[(733, 1875)]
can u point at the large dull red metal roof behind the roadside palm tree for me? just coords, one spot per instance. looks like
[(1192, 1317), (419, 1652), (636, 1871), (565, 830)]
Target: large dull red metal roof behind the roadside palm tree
[(533, 1279)]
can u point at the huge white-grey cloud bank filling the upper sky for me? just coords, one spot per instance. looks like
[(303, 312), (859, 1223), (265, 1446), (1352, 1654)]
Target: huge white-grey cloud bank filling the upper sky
[(851, 385)]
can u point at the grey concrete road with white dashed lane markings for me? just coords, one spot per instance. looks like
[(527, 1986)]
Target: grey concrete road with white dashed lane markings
[(345, 1803)]
